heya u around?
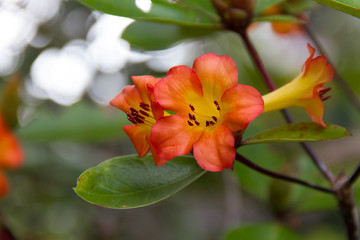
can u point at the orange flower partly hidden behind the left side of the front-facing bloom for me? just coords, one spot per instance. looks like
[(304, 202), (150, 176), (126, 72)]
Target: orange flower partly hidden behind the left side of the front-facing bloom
[(137, 101)]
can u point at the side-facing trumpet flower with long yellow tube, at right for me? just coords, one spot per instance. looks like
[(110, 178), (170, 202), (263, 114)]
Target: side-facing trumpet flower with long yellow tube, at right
[(305, 90)]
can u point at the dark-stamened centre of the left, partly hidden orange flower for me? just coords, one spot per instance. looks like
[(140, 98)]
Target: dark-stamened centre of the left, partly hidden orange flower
[(141, 115)]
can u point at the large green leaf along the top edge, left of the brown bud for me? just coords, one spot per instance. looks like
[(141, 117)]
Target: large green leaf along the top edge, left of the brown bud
[(186, 12)]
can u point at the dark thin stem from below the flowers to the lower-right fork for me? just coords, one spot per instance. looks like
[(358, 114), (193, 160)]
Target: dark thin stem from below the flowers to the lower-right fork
[(272, 174)]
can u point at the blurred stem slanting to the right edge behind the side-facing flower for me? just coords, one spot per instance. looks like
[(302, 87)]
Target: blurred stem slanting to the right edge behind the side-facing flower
[(338, 78)]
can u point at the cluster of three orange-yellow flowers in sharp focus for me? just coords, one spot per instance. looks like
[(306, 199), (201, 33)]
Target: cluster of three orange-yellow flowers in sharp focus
[(208, 106)]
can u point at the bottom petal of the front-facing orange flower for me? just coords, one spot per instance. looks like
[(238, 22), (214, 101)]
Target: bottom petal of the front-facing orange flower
[(215, 151)]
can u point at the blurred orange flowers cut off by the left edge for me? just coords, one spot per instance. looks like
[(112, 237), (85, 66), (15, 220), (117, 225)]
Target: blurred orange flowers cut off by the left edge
[(11, 155)]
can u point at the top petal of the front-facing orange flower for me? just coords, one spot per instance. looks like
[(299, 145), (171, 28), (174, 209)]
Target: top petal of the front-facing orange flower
[(216, 74)]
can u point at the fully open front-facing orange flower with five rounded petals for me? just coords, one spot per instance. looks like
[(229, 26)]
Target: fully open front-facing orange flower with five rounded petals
[(209, 105)]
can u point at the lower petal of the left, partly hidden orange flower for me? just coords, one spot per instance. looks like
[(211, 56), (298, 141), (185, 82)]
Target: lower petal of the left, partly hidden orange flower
[(139, 137)]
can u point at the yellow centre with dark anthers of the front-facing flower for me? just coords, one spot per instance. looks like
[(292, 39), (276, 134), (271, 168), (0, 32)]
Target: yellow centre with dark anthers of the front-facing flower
[(204, 120)]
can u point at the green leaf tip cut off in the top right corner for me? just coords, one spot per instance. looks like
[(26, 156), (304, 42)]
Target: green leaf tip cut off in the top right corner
[(351, 7)]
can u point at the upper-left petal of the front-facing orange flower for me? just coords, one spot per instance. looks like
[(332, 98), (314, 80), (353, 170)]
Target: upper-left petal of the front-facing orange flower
[(178, 88)]
